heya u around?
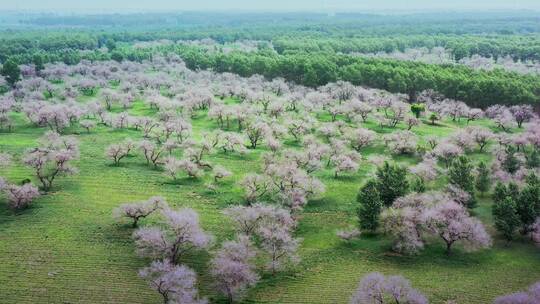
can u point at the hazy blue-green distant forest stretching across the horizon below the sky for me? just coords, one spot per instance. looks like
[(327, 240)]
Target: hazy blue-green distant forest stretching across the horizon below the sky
[(362, 34)]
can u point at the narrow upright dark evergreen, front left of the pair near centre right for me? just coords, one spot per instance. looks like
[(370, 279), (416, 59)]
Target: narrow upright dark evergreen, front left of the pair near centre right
[(370, 206)]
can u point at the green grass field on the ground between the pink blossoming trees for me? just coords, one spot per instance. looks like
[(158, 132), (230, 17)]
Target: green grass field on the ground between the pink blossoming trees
[(67, 248)]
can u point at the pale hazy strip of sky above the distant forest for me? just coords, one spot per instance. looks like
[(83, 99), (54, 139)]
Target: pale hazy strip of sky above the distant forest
[(266, 5)]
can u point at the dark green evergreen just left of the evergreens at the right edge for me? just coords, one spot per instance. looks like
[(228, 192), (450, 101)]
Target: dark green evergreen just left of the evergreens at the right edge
[(506, 217)]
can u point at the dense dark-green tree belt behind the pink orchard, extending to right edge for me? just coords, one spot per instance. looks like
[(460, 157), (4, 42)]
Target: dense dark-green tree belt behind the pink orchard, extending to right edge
[(477, 88)]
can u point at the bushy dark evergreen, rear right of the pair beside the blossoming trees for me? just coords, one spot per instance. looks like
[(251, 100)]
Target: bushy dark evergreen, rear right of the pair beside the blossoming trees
[(391, 182)]
